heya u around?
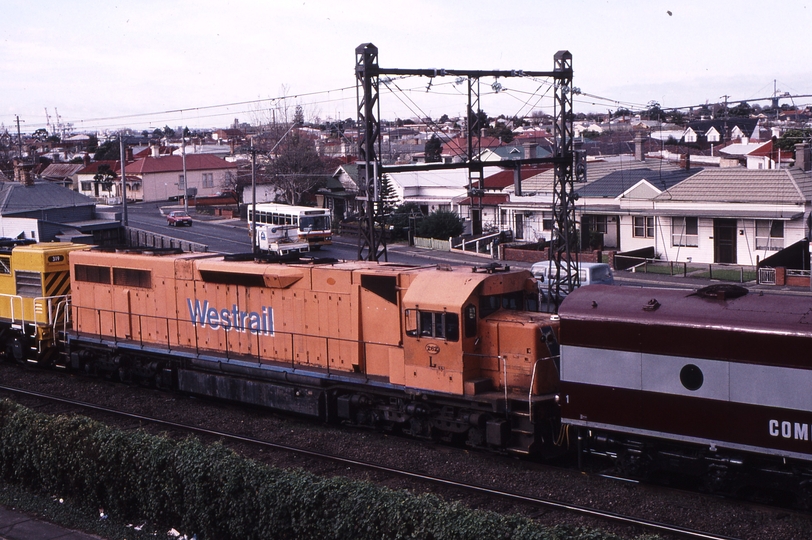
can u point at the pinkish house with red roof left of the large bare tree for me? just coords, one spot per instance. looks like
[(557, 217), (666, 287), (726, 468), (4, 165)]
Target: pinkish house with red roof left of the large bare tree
[(161, 178)]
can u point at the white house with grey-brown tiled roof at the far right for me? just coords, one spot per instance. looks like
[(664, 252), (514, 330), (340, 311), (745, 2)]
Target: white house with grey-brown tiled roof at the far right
[(725, 215)]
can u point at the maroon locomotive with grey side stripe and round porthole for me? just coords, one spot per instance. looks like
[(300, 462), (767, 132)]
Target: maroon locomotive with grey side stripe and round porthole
[(711, 382)]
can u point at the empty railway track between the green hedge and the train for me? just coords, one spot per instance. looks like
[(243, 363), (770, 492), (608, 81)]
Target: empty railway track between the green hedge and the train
[(533, 501)]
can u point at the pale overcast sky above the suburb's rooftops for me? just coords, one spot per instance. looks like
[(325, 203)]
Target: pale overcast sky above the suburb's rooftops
[(203, 63)]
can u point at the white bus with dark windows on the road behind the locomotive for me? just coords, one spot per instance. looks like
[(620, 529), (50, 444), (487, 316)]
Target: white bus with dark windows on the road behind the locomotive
[(313, 223)]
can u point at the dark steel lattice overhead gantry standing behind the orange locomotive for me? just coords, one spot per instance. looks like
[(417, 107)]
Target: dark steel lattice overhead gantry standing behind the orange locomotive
[(372, 242)]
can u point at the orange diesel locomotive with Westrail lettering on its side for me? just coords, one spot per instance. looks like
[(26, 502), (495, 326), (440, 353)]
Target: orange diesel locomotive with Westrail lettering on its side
[(431, 351)]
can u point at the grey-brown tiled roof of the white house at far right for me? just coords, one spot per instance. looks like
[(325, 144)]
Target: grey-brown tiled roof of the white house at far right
[(736, 185)]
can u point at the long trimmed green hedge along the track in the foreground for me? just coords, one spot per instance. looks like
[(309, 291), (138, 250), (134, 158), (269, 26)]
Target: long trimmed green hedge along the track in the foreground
[(214, 493)]
